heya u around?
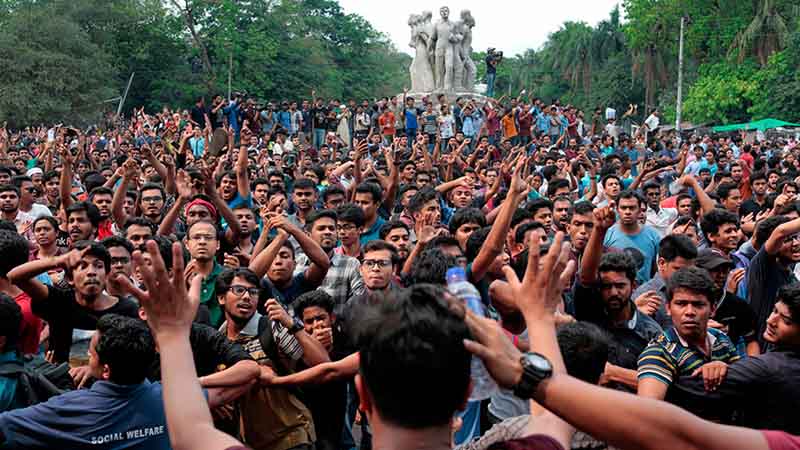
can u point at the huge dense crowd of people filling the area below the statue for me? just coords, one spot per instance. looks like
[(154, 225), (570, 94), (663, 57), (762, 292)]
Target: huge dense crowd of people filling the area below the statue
[(397, 273)]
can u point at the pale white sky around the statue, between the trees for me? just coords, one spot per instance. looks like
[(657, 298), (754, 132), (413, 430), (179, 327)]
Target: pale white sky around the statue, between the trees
[(508, 25)]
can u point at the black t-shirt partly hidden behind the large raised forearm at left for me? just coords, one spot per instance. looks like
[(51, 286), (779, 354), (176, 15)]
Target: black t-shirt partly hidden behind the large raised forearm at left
[(210, 349)]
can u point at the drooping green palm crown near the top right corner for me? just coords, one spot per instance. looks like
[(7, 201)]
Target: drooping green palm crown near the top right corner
[(766, 34)]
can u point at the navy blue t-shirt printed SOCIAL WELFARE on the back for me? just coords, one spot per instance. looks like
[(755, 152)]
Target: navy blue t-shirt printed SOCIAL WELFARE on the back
[(107, 416)]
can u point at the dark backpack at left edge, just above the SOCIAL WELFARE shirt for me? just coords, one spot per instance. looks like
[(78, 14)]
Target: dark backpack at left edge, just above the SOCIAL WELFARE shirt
[(37, 379)]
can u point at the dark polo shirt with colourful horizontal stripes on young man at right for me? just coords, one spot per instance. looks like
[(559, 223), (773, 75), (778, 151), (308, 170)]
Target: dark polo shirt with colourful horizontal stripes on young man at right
[(668, 356)]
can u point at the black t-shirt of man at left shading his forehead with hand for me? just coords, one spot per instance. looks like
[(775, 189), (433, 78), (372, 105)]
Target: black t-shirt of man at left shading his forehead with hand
[(63, 314)]
